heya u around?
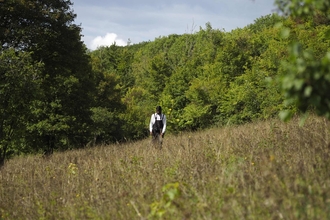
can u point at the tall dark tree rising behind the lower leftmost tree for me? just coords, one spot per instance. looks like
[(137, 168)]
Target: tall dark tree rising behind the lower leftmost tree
[(61, 114)]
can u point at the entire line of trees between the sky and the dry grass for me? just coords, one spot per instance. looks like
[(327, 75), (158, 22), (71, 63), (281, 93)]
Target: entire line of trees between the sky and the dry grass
[(58, 95)]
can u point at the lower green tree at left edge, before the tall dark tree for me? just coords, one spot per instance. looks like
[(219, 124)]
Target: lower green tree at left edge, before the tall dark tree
[(19, 85)]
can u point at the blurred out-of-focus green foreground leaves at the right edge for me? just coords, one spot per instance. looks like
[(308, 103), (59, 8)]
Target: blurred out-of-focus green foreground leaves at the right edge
[(307, 82)]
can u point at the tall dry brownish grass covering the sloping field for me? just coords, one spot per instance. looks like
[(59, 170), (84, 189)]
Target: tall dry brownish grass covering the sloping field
[(265, 170)]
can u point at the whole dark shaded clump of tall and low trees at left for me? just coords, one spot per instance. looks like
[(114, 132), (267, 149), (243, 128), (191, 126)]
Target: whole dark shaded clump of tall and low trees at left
[(45, 65)]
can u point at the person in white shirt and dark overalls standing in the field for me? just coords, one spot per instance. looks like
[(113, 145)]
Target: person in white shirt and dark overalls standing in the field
[(157, 125)]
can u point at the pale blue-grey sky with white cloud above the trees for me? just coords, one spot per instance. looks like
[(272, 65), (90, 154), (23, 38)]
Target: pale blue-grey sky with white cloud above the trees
[(105, 22)]
